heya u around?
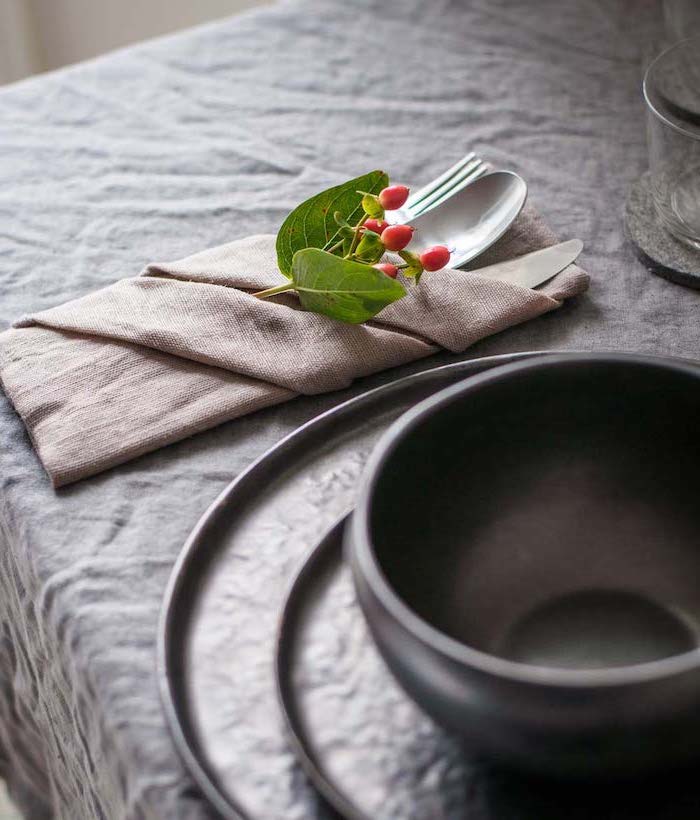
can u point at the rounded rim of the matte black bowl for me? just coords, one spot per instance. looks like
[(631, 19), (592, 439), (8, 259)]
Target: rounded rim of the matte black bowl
[(371, 572)]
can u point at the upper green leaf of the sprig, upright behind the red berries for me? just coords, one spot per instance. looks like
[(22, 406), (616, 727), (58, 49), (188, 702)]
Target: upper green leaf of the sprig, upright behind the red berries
[(313, 225)]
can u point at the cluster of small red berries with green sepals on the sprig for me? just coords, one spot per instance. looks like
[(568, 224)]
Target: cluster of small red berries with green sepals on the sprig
[(378, 236)]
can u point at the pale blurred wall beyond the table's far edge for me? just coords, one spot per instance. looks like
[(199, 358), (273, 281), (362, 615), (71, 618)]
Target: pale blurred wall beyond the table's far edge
[(39, 35)]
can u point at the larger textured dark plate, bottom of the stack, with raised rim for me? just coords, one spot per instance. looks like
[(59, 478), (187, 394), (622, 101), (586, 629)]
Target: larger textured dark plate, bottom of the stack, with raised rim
[(218, 627)]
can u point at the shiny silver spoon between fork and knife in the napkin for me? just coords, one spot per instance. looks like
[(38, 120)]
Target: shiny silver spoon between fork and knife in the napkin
[(474, 218)]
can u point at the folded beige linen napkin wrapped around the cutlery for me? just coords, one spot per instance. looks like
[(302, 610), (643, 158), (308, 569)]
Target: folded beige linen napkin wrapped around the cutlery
[(185, 346)]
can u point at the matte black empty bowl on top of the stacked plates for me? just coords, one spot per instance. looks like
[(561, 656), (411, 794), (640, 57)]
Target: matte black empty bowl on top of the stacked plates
[(526, 550)]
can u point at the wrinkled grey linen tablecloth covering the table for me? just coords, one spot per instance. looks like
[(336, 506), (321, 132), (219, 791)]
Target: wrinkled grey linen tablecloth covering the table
[(184, 143)]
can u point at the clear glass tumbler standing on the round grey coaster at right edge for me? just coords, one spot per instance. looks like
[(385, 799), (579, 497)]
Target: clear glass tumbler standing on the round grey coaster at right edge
[(672, 94)]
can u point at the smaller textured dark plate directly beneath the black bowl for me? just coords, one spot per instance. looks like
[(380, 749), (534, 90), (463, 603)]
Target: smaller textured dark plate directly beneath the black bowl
[(374, 756)]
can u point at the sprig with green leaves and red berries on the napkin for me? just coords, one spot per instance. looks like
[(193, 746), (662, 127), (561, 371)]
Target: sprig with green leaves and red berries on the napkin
[(328, 250)]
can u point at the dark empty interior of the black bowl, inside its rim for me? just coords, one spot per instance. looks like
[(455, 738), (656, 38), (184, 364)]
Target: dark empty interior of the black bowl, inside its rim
[(550, 515)]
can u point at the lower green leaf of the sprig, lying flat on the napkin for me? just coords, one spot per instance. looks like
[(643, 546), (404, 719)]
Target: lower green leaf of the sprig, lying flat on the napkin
[(341, 289)]
